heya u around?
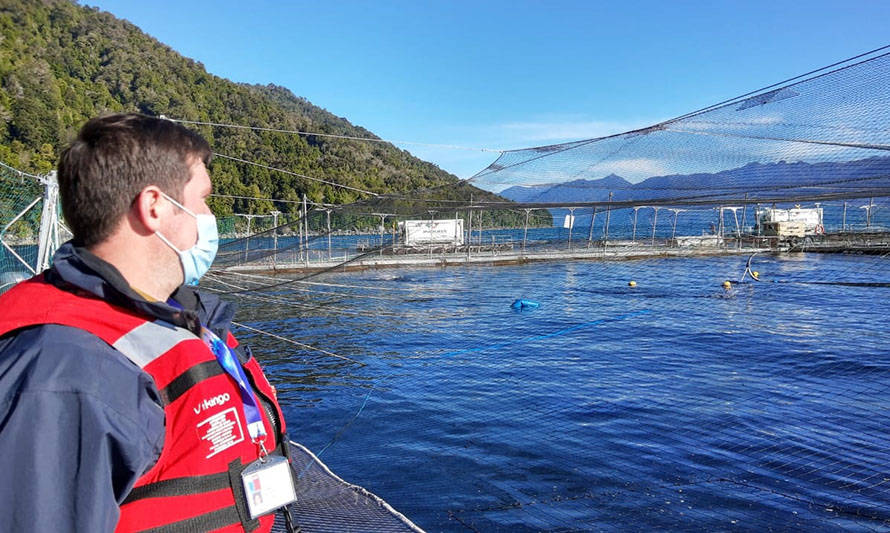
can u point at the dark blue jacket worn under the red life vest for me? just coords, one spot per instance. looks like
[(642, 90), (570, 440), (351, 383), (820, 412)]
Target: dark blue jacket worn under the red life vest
[(79, 422)]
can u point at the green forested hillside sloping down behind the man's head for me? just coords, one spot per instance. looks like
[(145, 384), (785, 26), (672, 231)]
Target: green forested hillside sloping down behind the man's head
[(61, 64)]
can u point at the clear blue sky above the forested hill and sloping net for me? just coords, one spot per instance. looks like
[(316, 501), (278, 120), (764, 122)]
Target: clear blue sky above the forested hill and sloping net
[(507, 75)]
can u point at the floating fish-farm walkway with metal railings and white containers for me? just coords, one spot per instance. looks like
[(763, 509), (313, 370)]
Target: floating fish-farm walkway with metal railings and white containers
[(455, 241)]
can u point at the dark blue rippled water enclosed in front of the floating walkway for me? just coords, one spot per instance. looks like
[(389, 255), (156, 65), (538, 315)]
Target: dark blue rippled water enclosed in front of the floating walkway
[(671, 405)]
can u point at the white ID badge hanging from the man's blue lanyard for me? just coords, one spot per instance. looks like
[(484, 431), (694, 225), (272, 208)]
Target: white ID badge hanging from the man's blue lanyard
[(268, 485)]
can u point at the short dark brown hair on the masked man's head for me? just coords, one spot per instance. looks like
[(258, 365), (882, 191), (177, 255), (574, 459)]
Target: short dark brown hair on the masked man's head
[(113, 159)]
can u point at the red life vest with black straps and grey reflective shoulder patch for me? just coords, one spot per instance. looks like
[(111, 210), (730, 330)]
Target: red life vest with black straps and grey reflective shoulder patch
[(196, 483)]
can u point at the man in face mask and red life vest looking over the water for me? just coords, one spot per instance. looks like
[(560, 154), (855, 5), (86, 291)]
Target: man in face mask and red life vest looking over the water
[(124, 401)]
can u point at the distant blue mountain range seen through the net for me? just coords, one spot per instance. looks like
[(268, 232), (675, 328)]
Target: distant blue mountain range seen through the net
[(755, 179)]
